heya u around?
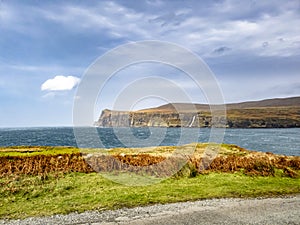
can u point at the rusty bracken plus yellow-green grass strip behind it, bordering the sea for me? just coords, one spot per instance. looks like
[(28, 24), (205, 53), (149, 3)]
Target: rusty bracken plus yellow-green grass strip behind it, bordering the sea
[(162, 161)]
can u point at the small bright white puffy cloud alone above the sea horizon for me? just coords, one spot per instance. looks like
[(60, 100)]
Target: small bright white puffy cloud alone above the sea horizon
[(60, 83)]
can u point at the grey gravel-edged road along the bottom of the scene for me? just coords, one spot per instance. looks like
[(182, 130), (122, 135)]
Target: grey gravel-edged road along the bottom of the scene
[(283, 210)]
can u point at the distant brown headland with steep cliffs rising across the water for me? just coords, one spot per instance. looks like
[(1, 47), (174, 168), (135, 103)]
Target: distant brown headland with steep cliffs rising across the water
[(272, 113)]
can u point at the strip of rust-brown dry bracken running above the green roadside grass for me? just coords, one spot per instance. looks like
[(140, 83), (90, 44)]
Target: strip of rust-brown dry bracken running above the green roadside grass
[(263, 164)]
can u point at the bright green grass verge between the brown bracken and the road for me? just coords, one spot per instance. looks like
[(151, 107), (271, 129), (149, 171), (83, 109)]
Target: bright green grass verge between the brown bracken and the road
[(25, 196)]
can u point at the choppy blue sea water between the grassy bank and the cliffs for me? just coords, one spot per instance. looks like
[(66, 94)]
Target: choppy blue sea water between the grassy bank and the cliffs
[(280, 141)]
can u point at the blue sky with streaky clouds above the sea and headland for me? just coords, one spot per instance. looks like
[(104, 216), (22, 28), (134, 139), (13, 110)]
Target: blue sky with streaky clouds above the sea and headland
[(46, 48)]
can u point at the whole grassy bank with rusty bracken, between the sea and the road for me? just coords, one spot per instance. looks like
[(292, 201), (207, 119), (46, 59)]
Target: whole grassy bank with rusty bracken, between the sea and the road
[(36, 181)]
